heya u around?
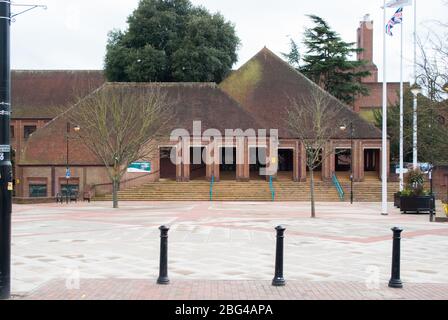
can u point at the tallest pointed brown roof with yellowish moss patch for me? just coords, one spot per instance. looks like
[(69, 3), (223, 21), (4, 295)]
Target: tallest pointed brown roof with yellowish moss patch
[(265, 85)]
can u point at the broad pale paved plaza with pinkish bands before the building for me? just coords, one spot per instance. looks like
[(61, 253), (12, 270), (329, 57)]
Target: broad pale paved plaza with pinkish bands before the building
[(63, 250)]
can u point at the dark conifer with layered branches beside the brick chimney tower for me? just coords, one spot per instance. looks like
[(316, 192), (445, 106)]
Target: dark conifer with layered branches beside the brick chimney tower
[(326, 62)]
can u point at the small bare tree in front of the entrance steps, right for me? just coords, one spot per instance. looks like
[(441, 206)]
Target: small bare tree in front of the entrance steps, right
[(312, 121)]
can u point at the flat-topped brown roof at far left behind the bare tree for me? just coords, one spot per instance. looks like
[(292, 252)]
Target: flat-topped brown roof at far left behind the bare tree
[(39, 94)]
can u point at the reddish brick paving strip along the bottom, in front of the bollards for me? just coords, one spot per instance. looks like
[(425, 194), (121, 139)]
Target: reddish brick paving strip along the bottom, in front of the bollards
[(131, 289)]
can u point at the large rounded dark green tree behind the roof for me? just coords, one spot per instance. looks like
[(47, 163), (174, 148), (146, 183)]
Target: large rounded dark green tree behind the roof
[(171, 40)]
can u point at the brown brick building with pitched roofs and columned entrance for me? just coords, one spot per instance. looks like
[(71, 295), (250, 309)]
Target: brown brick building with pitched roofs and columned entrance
[(252, 97)]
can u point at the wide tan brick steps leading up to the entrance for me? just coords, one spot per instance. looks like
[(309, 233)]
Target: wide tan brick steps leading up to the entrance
[(256, 190)]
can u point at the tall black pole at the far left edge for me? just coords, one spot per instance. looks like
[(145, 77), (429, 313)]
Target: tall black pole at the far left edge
[(5, 152)]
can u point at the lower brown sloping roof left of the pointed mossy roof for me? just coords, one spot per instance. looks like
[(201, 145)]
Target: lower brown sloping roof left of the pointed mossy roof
[(203, 102)]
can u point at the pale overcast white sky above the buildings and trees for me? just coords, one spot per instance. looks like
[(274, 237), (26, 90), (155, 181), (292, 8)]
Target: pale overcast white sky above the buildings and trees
[(72, 34)]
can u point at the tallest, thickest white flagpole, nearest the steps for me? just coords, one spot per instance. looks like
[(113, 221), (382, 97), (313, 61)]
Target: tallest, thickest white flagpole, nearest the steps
[(384, 210)]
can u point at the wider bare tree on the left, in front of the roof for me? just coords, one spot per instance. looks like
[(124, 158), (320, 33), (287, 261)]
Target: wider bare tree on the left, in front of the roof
[(119, 124)]
